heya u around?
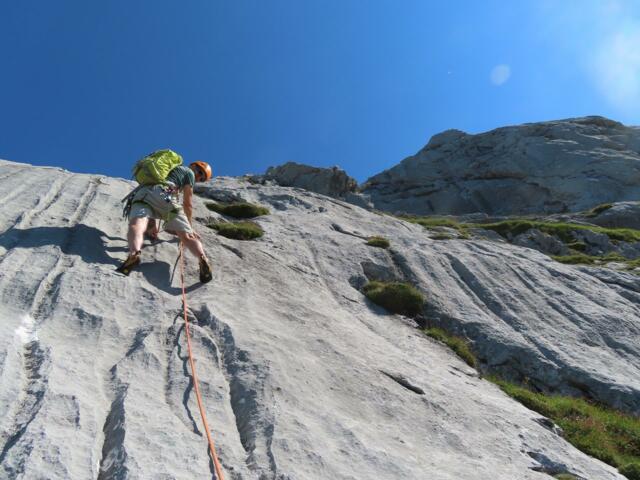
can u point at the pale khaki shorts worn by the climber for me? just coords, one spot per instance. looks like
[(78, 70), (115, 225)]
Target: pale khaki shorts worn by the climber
[(158, 202)]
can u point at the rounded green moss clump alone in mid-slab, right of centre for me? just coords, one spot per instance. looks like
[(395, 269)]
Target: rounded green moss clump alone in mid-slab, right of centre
[(396, 297)]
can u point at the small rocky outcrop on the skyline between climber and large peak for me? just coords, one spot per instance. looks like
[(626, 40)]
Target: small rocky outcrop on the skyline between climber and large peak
[(333, 182)]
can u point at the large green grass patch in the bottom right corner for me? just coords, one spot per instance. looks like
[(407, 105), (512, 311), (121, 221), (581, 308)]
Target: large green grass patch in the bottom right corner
[(602, 432)]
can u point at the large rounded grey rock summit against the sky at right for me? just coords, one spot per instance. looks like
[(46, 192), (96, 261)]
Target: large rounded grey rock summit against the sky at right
[(547, 167)]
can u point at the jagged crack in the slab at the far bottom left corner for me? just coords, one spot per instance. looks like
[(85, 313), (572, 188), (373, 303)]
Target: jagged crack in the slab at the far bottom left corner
[(36, 362)]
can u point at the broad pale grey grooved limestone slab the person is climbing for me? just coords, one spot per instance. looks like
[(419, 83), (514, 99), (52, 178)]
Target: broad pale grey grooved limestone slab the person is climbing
[(302, 377)]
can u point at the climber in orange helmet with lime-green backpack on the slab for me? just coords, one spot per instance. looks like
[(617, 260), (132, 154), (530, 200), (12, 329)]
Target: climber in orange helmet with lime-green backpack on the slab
[(162, 177)]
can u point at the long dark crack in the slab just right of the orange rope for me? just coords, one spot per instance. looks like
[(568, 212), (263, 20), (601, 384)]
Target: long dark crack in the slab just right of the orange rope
[(246, 380)]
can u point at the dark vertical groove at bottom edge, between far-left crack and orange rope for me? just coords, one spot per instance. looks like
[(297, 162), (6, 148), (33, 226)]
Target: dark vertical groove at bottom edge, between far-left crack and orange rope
[(114, 455)]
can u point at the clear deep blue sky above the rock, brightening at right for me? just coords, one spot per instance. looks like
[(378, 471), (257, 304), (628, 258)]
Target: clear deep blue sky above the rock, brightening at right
[(92, 86)]
